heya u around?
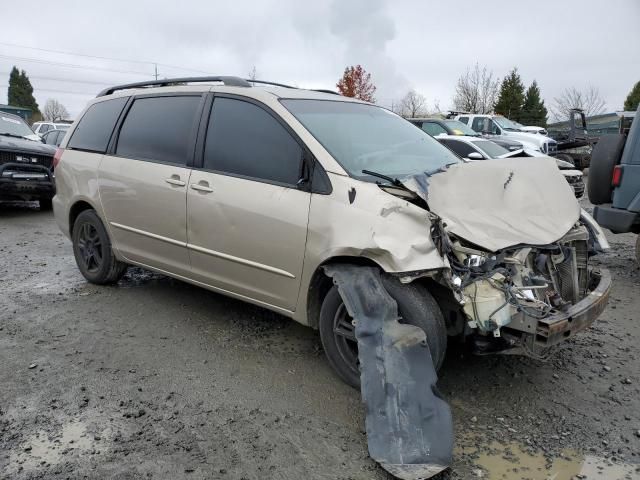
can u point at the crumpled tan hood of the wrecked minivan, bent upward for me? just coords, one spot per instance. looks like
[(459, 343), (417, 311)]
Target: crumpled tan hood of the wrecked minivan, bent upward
[(500, 203)]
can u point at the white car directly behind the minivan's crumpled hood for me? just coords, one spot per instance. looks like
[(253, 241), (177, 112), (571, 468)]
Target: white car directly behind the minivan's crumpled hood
[(481, 149)]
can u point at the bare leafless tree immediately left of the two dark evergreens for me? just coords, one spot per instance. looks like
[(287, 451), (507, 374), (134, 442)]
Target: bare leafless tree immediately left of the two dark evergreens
[(476, 91)]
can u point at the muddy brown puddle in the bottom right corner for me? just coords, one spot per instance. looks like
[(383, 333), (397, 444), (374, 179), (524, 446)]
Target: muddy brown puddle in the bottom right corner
[(512, 462)]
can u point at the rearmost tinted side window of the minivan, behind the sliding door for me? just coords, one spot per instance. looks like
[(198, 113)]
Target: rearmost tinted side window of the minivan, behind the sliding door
[(94, 129)]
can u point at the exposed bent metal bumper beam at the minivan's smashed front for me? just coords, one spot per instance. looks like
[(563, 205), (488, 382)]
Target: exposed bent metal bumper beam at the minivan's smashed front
[(535, 335)]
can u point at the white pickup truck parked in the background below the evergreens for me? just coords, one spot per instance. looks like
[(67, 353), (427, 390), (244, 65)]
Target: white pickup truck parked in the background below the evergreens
[(497, 125)]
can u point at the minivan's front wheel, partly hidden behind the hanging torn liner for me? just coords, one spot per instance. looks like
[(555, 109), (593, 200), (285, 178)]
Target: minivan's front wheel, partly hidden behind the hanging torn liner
[(416, 307)]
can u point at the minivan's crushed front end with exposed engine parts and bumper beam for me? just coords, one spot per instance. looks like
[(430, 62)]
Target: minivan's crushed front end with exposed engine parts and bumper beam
[(526, 298)]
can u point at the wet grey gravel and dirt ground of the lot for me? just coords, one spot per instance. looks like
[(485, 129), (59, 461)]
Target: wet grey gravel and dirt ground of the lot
[(154, 378)]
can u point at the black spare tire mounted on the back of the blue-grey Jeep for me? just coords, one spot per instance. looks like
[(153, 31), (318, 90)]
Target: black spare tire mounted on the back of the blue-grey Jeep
[(605, 155)]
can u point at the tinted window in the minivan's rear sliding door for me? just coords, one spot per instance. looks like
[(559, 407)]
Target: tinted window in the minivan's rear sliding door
[(159, 129)]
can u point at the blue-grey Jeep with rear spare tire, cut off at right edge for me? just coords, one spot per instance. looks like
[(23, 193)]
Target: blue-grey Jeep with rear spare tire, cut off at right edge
[(614, 181)]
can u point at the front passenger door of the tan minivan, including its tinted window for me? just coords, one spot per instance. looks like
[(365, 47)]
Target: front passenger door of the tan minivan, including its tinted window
[(246, 217)]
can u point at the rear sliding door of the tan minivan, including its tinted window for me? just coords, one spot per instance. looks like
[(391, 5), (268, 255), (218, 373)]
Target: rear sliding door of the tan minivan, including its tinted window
[(143, 183)]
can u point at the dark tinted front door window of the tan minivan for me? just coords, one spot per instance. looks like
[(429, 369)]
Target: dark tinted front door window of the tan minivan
[(243, 139)]
